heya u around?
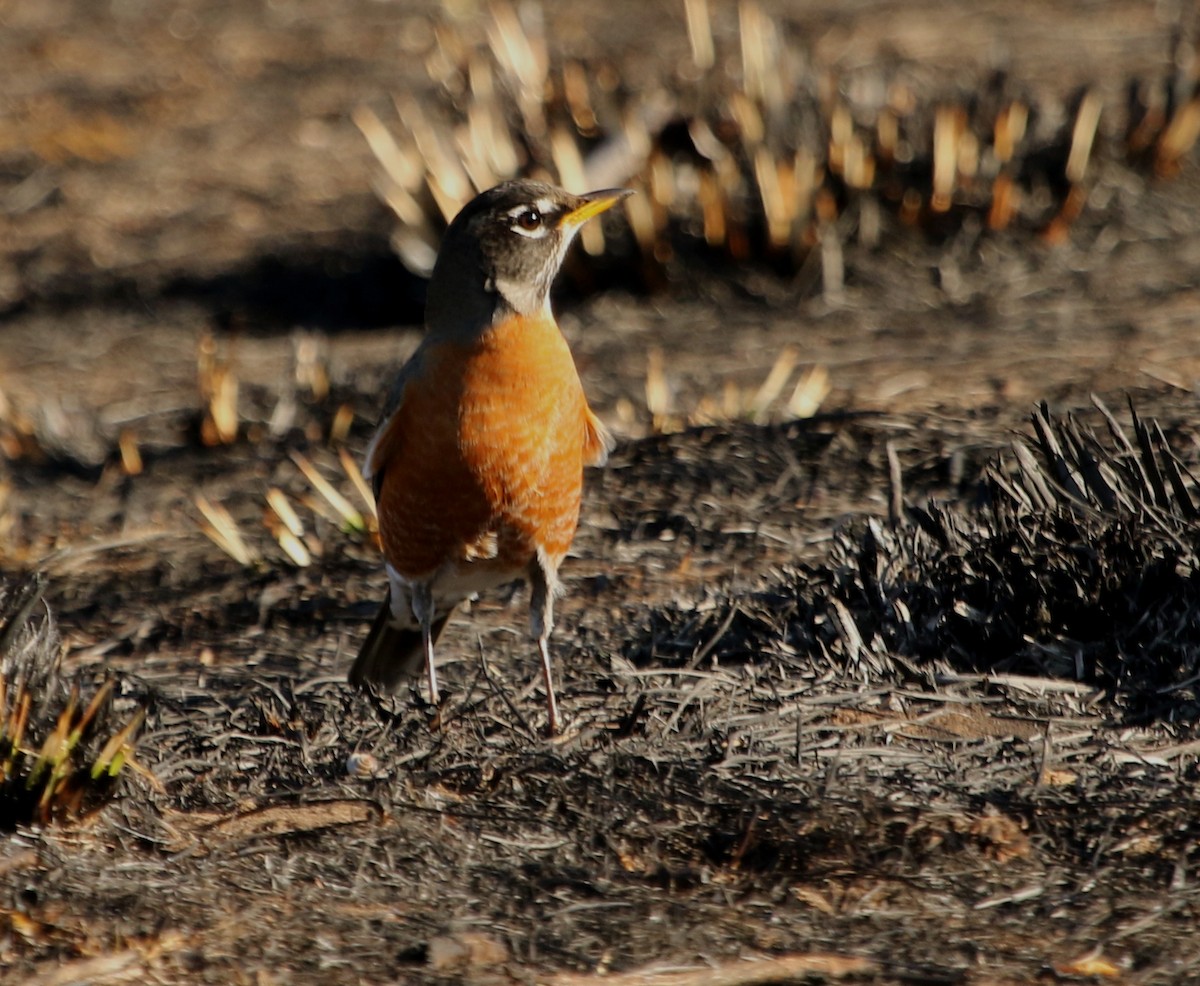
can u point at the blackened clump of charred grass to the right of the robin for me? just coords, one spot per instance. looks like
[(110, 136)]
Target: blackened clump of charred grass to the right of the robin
[(1079, 563)]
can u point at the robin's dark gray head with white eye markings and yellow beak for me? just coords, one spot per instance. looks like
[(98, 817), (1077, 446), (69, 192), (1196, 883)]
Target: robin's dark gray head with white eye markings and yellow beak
[(503, 250)]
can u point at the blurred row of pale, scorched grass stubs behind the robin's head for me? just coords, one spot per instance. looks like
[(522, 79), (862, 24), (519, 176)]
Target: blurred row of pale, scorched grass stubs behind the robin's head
[(753, 152)]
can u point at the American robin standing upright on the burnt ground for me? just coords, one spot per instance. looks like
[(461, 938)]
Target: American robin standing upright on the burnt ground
[(478, 460)]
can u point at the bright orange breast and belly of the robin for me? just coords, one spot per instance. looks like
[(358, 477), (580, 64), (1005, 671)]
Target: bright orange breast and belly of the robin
[(489, 461)]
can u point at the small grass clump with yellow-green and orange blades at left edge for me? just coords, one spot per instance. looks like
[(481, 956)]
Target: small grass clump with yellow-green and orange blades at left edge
[(61, 754)]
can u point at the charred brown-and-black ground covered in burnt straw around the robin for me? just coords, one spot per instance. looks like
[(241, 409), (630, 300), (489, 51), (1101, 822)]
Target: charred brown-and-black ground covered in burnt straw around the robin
[(959, 748)]
